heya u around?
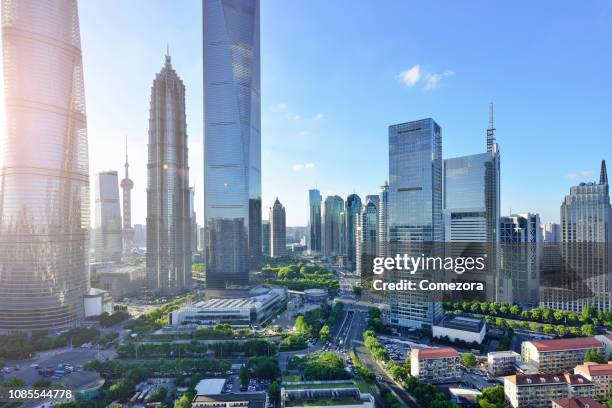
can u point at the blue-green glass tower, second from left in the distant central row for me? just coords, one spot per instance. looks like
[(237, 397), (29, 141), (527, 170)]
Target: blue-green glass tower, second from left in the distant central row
[(331, 226)]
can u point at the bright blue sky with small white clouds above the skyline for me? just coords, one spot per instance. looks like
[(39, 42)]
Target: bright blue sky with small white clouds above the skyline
[(336, 74)]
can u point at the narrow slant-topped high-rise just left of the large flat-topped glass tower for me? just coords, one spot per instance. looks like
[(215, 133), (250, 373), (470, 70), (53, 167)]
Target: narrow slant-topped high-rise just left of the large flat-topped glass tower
[(366, 232)]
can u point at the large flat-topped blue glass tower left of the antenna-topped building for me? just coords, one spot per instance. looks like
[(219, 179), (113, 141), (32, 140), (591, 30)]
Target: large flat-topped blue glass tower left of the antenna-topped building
[(415, 212)]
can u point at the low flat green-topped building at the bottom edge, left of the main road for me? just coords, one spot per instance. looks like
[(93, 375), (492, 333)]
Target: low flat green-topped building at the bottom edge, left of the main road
[(311, 394)]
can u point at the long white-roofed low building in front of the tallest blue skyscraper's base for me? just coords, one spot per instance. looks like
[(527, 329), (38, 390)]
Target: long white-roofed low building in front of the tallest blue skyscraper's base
[(262, 303)]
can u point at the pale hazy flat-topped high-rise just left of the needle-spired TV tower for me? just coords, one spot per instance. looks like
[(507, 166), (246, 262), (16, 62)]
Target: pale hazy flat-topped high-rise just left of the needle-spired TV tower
[(108, 239)]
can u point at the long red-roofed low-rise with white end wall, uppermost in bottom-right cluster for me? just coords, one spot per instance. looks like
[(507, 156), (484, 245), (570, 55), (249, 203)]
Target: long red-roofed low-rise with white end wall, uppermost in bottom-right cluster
[(558, 355)]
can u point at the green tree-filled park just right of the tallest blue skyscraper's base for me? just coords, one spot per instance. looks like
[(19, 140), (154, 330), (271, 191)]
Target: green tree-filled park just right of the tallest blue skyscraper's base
[(301, 276)]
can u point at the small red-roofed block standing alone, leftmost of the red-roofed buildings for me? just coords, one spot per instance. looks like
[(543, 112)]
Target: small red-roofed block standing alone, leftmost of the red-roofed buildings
[(435, 365)]
